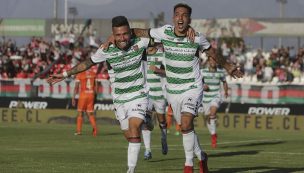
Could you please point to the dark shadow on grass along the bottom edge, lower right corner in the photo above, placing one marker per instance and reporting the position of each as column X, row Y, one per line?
column 262, row 169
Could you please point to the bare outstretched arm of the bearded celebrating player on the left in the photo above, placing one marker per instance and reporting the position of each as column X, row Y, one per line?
column 77, row 69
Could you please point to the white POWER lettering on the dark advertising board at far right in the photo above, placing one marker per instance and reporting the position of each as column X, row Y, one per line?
column 268, row 111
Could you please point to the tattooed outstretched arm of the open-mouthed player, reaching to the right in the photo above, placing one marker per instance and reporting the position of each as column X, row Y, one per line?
column 232, row 69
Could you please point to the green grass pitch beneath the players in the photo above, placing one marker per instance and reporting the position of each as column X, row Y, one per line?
column 52, row 148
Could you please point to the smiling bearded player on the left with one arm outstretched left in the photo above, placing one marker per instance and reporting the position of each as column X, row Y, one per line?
column 130, row 95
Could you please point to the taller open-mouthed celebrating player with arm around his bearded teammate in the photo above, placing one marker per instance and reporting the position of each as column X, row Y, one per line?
column 184, row 84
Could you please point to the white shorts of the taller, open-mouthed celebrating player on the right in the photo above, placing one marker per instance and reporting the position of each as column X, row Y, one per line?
column 188, row 101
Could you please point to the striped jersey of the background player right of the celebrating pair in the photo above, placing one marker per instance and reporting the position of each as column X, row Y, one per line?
column 213, row 80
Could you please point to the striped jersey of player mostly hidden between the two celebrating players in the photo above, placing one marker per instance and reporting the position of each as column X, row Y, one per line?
column 154, row 81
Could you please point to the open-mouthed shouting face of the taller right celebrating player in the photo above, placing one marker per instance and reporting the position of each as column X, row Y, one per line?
column 181, row 20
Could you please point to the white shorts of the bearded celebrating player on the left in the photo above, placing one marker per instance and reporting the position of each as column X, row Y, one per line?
column 136, row 108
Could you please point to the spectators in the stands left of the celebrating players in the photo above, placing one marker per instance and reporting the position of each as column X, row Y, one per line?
column 40, row 57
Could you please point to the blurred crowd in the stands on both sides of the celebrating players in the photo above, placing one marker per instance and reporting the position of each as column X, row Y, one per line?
column 41, row 57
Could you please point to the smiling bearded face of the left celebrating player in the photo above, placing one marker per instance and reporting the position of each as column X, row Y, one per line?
column 122, row 36
